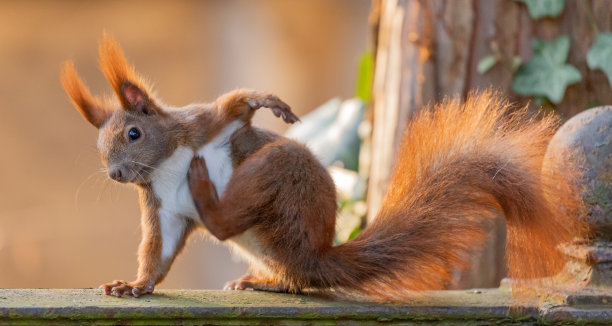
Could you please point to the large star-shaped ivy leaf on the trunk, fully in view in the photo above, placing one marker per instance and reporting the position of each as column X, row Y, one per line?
column 547, row 74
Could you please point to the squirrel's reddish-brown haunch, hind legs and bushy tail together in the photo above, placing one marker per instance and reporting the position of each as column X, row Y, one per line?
column 458, row 164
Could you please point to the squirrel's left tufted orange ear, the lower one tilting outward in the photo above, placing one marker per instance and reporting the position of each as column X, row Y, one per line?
column 90, row 107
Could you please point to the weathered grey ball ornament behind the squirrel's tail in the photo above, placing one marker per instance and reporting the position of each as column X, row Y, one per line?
column 588, row 136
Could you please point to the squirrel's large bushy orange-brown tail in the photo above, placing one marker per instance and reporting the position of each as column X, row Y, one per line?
column 458, row 165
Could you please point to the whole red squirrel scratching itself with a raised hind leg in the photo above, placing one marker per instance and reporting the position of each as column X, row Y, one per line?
column 204, row 166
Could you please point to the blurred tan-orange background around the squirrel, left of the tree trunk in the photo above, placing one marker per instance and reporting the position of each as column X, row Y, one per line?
column 62, row 223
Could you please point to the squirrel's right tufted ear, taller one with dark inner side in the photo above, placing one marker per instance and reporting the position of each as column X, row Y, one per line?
column 128, row 86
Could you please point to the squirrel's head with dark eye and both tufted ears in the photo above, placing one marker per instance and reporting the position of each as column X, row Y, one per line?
column 136, row 135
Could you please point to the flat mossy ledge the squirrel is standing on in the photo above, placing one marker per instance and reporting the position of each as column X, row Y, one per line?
column 197, row 307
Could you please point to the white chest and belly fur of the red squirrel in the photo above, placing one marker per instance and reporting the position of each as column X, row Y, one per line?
column 171, row 188
